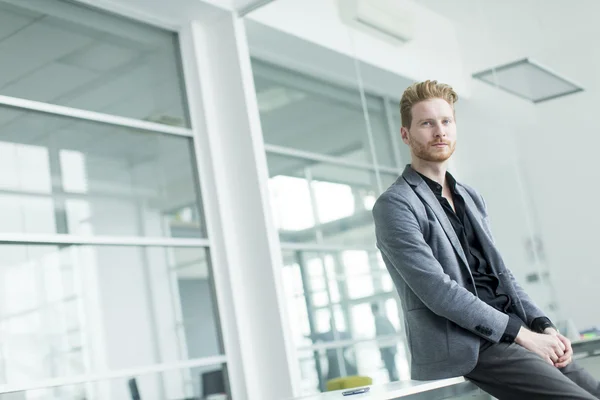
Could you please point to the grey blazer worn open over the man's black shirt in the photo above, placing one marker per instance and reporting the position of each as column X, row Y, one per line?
column 444, row 321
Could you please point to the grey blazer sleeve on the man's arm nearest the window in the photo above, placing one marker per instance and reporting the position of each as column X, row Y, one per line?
column 401, row 242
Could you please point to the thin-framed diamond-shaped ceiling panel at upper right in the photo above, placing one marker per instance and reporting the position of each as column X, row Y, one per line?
column 529, row 80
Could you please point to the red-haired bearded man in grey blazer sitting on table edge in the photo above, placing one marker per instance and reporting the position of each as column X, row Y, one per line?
column 465, row 313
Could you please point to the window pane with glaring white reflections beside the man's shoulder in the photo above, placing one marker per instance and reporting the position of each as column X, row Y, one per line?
column 323, row 203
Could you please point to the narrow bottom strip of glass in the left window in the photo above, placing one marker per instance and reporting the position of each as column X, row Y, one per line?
column 187, row 383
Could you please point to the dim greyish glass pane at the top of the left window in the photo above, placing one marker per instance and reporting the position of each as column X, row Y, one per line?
column 67, row 54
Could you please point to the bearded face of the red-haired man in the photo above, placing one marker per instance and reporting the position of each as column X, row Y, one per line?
column 432, row 133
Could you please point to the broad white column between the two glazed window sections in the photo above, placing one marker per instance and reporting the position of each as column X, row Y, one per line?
column 246, row 256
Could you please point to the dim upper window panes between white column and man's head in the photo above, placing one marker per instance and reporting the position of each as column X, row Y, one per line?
column 307, row 114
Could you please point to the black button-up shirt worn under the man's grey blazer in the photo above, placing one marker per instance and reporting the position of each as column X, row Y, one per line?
column 487, row 285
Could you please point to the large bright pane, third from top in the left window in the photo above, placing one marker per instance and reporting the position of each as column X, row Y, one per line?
column 68, row 310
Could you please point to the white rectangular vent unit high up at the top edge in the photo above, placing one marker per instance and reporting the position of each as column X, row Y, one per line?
column 388, row 20
